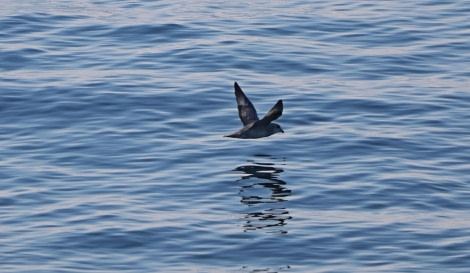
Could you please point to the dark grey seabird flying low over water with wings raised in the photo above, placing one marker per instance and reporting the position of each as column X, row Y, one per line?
column 253, row 127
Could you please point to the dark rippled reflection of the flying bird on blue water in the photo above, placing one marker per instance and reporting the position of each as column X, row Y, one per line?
column 266, row 209
